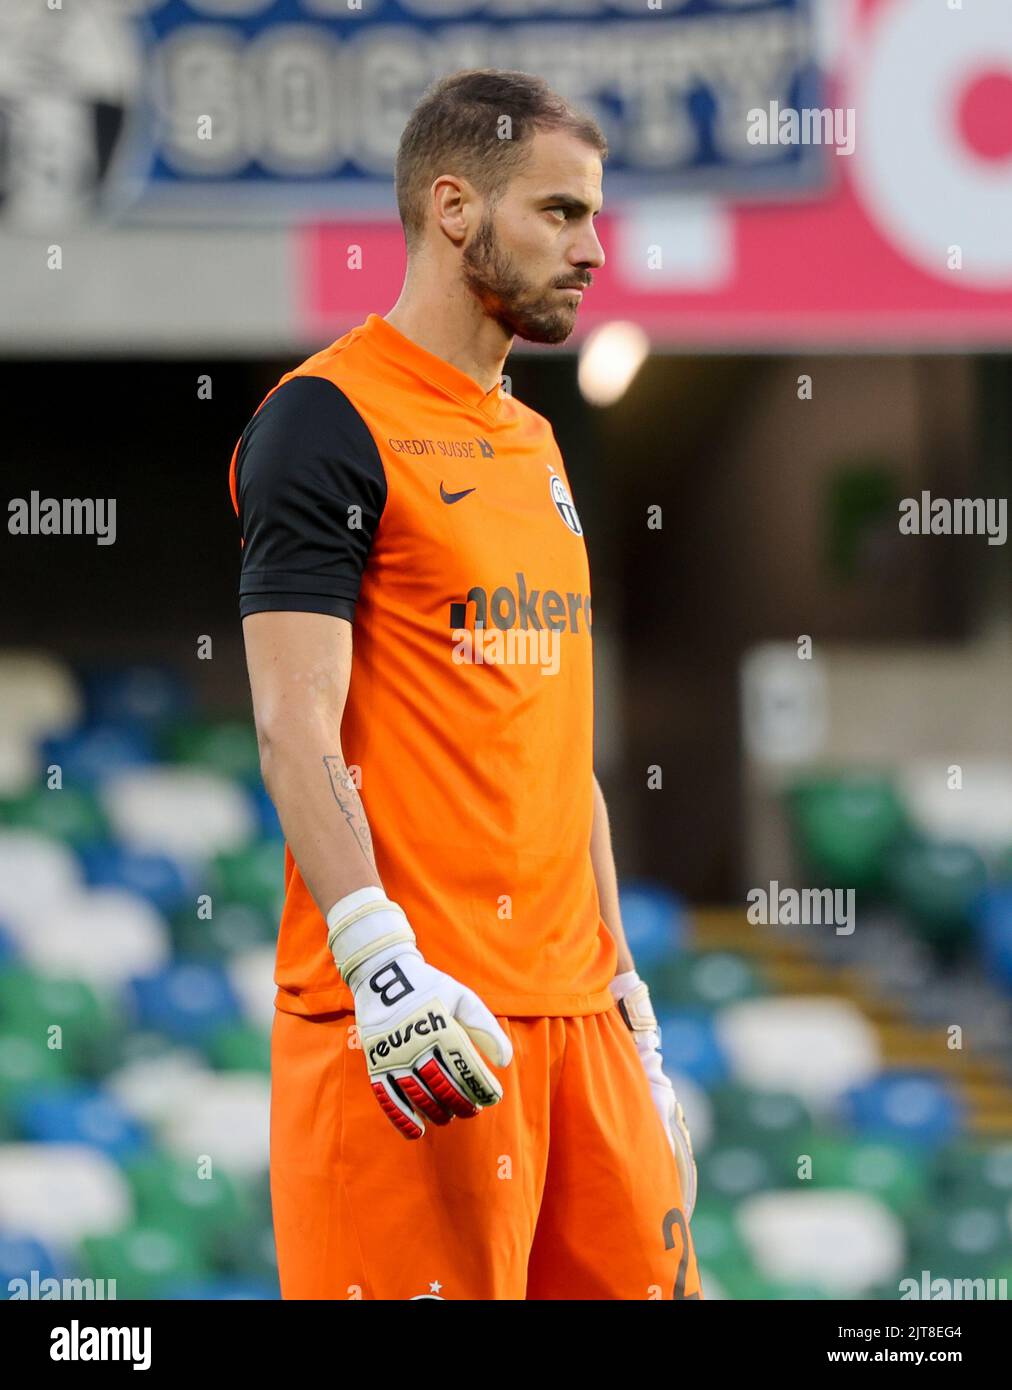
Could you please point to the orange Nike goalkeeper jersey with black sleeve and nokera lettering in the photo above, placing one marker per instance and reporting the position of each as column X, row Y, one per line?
column 382, row 484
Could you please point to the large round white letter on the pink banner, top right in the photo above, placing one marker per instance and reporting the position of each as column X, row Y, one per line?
column 917, row 180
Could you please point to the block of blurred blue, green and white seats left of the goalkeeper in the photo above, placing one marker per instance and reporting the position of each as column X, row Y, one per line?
column 134, row 1029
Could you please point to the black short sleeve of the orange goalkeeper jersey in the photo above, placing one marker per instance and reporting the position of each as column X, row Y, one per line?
column 305, row 458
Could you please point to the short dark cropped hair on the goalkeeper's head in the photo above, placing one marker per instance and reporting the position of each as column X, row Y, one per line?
column 455, row 130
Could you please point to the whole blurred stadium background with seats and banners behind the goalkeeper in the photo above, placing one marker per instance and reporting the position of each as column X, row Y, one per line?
column 822, row 337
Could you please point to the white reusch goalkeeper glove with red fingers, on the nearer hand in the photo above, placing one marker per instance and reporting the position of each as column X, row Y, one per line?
column 415, row 1024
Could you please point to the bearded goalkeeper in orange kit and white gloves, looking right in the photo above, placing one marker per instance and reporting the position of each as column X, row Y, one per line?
column 468, row 1096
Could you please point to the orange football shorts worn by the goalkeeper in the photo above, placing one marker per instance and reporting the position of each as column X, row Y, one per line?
column 566, row 1189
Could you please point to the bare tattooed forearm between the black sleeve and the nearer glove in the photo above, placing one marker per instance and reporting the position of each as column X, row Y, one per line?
column 300, row 669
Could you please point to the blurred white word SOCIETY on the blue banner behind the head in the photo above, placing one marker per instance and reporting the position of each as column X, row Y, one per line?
column 301, row 101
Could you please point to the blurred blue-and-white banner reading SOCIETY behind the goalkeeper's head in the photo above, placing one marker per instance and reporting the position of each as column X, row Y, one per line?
column 281, row 109
